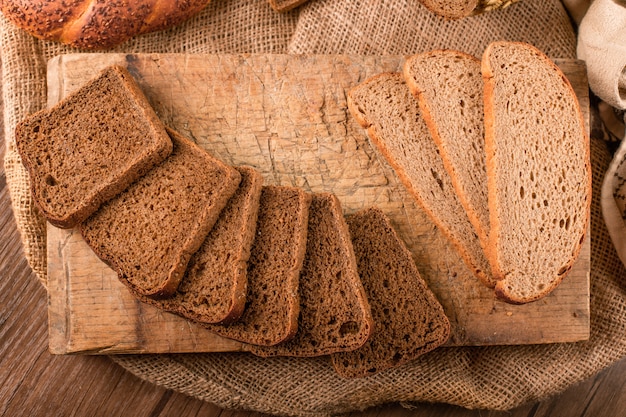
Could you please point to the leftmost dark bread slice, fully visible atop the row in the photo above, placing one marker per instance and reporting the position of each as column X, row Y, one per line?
column 90, row 146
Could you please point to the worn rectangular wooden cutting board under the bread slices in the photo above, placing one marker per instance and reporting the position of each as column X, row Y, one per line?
column 286, row 116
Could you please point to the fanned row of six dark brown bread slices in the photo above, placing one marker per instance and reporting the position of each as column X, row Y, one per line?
column 271, row 266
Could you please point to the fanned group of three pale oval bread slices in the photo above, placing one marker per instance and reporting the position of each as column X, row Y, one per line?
column 495, row 152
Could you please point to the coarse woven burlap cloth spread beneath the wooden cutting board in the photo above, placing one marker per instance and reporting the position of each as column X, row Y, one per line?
column 483, row 377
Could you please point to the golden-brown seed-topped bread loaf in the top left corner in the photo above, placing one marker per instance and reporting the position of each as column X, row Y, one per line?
column 97, row 24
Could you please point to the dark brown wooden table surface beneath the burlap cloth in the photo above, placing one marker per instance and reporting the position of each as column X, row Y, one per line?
column 35, row 383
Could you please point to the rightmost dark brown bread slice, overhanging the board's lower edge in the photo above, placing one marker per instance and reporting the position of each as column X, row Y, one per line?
column 409, row 320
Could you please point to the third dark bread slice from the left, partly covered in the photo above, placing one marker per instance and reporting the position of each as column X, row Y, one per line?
column 213, row 289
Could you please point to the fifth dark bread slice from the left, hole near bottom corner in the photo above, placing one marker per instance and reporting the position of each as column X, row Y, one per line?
column 334, row 312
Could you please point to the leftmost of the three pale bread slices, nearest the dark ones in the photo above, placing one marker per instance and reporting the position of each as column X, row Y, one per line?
column 385, row 107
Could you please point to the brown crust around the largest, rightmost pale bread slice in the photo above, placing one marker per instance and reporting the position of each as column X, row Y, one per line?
column 492, row 251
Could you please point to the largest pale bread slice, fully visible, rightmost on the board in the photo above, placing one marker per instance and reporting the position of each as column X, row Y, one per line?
column 539, row 171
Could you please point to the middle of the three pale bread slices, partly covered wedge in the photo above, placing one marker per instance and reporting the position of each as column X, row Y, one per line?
column 449, row 88
